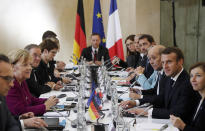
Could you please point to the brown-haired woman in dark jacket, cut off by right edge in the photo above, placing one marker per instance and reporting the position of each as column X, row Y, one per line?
column 197, row 73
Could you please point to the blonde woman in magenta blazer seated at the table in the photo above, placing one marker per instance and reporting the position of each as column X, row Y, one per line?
column 19, row 99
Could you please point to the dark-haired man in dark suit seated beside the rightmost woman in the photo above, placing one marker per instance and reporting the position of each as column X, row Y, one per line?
column 178, row 98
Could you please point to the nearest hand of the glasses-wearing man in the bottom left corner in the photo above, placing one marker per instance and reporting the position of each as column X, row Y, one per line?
column 34, row 122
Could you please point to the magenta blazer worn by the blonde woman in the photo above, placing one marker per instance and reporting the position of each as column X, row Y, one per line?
column 20, row 100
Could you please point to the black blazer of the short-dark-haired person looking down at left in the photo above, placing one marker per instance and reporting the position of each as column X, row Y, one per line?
column 45, row 74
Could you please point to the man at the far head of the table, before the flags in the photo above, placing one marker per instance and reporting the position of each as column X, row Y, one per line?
column 93, row 54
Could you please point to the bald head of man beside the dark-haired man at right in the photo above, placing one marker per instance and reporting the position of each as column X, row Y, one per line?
column 154, row 55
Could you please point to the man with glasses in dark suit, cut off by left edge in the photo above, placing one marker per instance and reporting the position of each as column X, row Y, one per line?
column 7, row 121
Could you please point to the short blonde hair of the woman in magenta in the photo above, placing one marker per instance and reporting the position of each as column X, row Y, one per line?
column 16, row 55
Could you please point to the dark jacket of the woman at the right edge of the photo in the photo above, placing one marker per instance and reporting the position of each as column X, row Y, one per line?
column 198, row 124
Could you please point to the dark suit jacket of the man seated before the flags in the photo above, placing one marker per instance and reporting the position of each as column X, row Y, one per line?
column 102, row 51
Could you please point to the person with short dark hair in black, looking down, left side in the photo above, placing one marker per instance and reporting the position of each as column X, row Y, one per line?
column 45, row 70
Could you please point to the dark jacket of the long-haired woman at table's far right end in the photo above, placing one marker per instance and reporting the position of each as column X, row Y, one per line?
column 132, row 61
